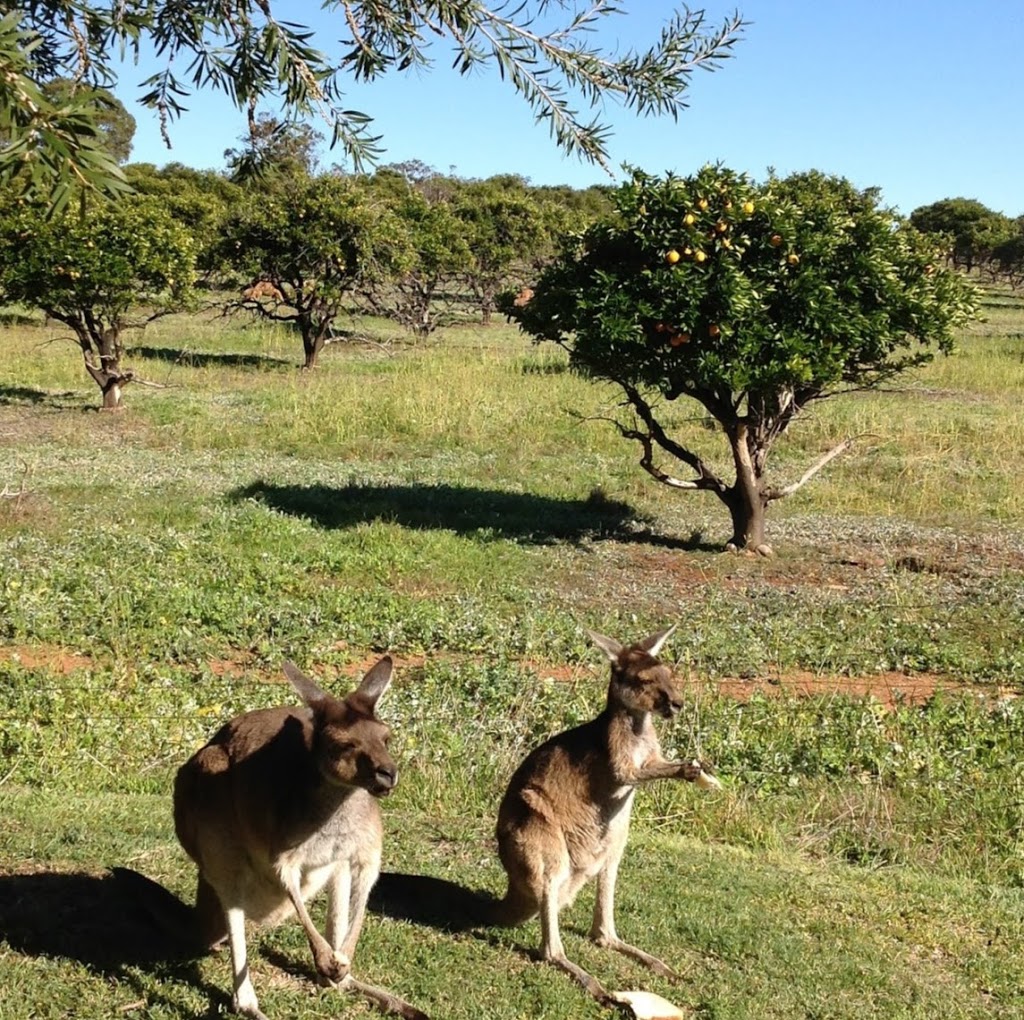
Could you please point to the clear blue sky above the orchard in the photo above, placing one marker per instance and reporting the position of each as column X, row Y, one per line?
column 923, row 99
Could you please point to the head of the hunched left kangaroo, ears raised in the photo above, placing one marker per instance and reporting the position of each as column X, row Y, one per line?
column 350, row 742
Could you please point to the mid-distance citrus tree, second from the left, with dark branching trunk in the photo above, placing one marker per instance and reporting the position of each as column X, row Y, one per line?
column 316, row 241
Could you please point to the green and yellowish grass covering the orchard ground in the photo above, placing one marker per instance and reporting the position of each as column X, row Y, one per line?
column 445, row 502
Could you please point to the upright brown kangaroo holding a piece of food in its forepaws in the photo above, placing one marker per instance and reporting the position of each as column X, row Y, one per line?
column 566, row 817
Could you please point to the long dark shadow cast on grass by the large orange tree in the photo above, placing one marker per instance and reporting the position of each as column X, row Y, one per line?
column 481, row 513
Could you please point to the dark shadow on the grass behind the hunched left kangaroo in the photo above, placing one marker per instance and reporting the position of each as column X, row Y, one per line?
column 98, row 922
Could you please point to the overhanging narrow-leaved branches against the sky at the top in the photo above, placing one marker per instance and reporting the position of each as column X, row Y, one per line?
column 252, row 52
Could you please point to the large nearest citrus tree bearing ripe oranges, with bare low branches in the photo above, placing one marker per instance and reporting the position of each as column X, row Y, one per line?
column 753, row 301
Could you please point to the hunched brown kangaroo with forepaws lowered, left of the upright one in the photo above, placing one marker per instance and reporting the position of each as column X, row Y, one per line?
column 281, row 804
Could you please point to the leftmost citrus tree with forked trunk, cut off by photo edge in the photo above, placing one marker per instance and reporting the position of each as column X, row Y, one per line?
column 118, row 268
